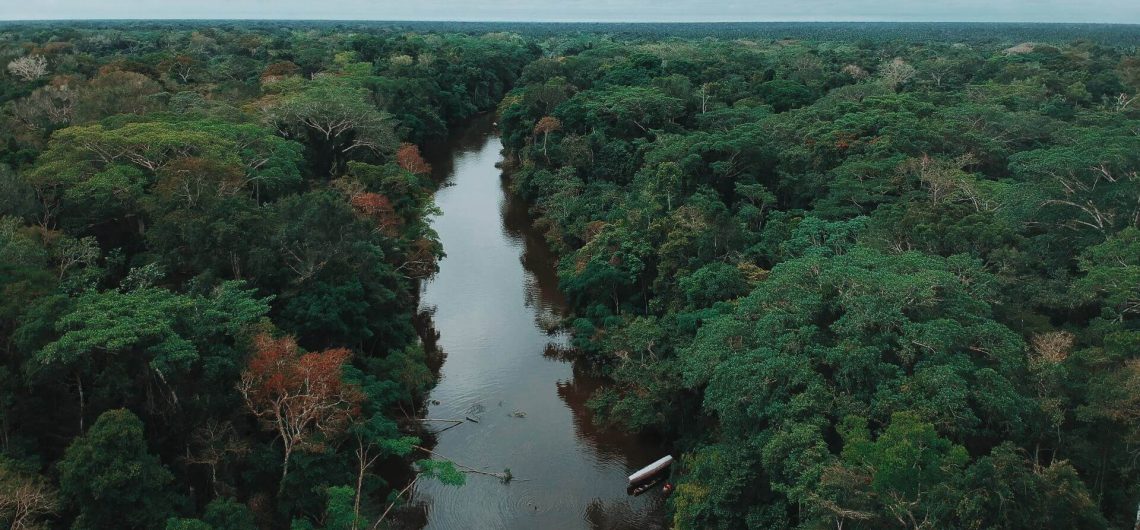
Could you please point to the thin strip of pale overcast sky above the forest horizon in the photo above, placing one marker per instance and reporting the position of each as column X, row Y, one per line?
column 589, row 11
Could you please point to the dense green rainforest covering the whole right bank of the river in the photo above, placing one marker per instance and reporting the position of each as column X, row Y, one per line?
column 861, row 284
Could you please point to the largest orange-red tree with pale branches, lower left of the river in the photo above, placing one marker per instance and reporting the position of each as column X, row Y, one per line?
column 300, row 396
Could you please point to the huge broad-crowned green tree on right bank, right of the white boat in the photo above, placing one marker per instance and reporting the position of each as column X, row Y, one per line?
column 811, row 341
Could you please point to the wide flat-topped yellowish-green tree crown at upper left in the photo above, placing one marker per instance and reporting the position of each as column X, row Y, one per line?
column 107, row 173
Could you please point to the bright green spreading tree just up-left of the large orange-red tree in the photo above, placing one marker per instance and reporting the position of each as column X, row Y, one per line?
column 123, row 347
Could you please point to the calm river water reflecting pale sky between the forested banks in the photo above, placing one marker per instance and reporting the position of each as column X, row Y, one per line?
column 490, row 304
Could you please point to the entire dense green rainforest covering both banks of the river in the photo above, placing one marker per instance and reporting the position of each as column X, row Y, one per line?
column 859, row 276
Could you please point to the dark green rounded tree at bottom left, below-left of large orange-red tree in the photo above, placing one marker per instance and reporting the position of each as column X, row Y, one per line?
column 112, row 479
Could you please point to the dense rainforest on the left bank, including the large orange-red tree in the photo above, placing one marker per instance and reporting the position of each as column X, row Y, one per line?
column 210, row 248
